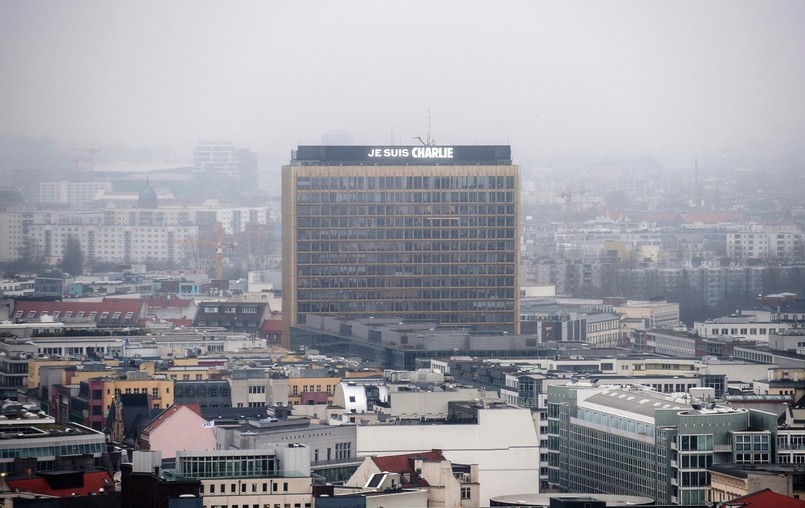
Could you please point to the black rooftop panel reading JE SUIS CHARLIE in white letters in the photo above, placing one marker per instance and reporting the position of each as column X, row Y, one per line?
column 403, row 155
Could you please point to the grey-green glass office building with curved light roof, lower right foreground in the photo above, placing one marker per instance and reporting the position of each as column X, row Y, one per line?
column 633, row 441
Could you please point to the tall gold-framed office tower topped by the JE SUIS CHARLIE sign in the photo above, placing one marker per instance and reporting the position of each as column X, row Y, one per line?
column 417, row 233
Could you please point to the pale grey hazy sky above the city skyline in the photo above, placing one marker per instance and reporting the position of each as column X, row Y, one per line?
column 551, row 78
